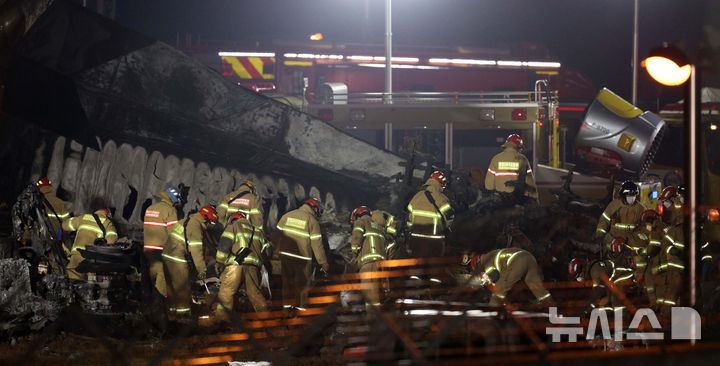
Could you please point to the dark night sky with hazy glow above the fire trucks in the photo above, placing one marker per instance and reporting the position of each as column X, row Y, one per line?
column 594, row 36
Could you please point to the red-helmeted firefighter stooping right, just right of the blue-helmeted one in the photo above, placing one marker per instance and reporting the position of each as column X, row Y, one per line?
column 182, row 253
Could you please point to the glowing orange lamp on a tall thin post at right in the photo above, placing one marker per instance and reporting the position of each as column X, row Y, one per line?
column 670, row 66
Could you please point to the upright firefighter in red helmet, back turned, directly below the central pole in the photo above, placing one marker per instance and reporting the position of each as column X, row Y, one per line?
column 430, row 217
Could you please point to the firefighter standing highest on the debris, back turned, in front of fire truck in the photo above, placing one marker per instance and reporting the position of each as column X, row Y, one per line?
column 506, row 167
